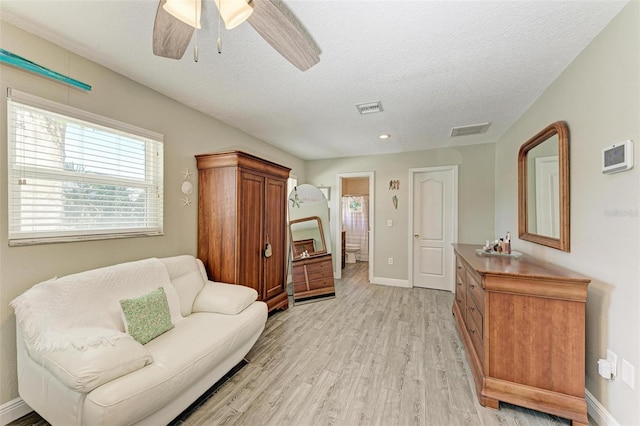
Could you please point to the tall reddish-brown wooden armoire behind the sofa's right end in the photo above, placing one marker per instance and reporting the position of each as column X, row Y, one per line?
column 242, row 204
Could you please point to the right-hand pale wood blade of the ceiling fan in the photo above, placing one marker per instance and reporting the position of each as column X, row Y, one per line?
column 273, row 20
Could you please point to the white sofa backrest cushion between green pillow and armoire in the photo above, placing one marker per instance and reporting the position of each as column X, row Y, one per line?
column 186, row 276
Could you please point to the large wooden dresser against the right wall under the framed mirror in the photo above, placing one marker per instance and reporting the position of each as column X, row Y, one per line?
column 523, row 326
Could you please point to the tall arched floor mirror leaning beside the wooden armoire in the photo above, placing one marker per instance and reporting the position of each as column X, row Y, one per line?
column 310, row 238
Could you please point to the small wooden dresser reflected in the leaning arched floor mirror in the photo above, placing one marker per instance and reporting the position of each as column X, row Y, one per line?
column 313, row 277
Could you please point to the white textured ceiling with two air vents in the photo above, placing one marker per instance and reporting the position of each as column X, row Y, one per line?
column 434, row 65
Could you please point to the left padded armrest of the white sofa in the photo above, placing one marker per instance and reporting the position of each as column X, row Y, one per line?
column 85, row 369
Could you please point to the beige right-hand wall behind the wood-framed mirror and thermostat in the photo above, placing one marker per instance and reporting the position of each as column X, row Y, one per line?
column 598, row 96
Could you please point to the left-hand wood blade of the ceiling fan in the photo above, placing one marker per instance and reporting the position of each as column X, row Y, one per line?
column 171, row 36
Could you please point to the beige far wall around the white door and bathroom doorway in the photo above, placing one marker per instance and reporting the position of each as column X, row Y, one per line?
column 475, row 197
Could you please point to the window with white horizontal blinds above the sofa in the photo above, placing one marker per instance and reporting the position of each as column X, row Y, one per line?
column 74, row 175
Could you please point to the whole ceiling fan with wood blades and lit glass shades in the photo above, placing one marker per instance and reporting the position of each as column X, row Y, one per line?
column 176, row 20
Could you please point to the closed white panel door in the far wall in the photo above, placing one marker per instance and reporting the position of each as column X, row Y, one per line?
column 434, row 227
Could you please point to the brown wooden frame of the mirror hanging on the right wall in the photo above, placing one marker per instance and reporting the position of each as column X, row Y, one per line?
column 563, row 241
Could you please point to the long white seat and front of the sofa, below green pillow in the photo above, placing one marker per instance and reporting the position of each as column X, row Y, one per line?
column 196, row 346
